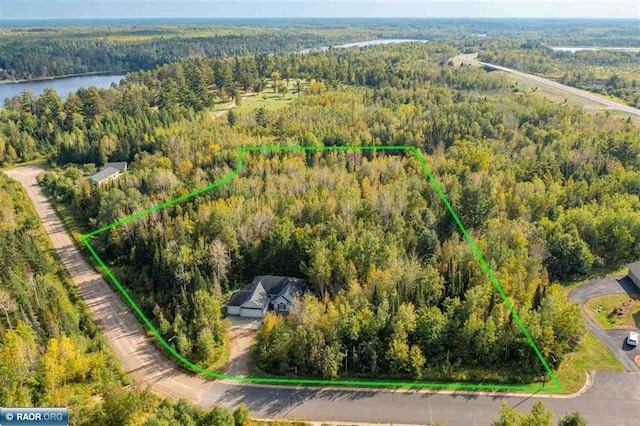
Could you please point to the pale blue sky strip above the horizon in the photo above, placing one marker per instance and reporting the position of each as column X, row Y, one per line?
column 94, row 9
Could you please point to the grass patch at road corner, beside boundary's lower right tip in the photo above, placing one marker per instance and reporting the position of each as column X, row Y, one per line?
column 592, row 355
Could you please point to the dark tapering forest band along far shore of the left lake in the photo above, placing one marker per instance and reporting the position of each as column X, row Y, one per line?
column 21, row 58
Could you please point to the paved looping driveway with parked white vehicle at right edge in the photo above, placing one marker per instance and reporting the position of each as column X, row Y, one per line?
column 614, row 339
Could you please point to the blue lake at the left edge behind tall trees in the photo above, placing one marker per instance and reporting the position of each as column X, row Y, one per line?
column 63, row 86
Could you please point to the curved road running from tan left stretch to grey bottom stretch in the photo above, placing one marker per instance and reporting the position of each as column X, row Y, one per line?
column 612, row 400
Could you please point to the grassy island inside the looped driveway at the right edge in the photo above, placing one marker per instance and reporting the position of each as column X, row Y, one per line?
column 599, row 308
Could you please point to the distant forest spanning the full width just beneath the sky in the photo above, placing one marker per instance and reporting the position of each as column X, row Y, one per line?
column 29, row 52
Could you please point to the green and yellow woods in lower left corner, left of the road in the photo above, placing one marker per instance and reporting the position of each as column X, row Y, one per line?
column 51, row 352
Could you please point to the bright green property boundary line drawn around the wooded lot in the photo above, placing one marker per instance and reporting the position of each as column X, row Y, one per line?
column 289, row 381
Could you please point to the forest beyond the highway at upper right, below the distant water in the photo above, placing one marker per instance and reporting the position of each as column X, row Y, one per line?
column 608, row 72
